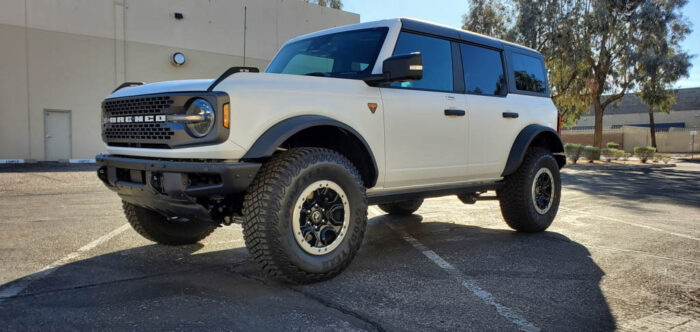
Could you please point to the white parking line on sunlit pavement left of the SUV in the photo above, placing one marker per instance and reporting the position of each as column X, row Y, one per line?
column 23, row 283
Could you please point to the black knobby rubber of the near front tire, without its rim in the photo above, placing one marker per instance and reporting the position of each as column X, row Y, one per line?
column 265, row 221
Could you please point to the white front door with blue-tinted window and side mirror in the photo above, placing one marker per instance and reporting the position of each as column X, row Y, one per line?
column 424, row 121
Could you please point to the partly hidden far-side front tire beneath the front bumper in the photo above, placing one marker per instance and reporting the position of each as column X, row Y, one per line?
column 155, row 227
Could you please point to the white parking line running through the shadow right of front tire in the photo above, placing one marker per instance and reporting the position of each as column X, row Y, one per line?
column 470, row 285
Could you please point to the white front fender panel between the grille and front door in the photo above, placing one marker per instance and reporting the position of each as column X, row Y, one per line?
column 260, row 101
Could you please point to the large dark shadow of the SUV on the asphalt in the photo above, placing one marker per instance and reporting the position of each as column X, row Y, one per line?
column 546, row 278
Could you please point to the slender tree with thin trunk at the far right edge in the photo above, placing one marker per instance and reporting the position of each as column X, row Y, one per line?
column 660, row 59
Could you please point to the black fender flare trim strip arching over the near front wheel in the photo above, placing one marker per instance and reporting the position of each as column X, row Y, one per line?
column 273, row 137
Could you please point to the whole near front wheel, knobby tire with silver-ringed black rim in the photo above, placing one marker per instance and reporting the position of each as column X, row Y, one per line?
column 305, row 215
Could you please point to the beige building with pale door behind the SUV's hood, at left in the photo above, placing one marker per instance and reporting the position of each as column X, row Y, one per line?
column 61, row 58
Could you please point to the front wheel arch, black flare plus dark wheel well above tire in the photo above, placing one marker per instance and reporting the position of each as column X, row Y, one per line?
column 297, row 131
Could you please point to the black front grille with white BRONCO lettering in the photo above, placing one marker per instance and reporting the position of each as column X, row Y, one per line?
column 141, row 121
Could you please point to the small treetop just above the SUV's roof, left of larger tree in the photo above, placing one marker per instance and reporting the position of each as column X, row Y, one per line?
column 488, row 17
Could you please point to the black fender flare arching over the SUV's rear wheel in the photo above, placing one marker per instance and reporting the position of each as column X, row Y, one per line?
column 525, row 139
